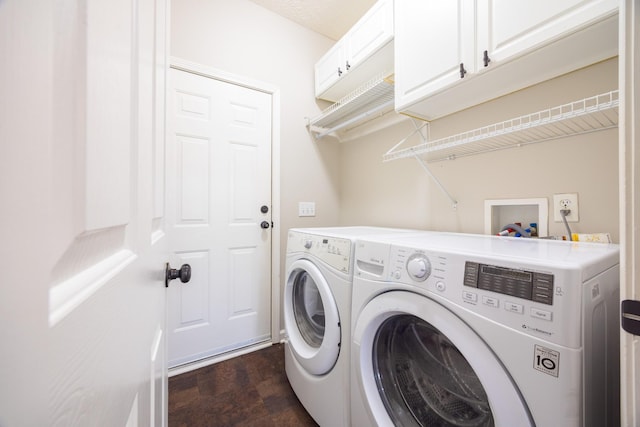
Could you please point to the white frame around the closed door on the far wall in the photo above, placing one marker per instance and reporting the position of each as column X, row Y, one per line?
column 274, row 91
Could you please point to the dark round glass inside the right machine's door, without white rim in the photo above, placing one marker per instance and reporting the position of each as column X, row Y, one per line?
column 423, row 379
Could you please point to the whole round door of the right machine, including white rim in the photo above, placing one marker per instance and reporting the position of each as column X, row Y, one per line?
column 421, row 365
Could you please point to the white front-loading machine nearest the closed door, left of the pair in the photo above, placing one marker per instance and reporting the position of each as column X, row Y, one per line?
column 317, row 317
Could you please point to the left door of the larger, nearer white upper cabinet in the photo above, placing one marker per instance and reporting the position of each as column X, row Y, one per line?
column 432, row 39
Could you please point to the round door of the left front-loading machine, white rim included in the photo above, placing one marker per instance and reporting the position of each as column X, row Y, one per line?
column 311, row 318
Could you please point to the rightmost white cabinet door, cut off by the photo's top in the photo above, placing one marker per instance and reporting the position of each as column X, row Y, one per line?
column 508, row 28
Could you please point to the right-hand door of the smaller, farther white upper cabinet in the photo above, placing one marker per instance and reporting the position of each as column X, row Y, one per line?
column 370, row 33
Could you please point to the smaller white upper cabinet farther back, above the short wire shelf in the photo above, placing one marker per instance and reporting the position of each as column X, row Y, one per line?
column 366, row 50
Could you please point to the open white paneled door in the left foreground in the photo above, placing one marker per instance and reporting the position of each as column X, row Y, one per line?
column 83, row 305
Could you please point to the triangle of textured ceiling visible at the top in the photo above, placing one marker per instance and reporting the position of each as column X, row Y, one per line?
column 332, row 18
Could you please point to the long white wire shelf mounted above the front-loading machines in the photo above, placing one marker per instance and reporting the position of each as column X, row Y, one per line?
column 591, row 114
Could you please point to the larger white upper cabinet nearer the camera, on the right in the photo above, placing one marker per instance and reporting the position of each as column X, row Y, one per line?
column 452, row 55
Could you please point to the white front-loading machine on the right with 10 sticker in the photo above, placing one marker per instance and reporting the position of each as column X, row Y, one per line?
column 469, row 330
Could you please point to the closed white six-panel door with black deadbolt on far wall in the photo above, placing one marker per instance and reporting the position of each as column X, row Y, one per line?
column 218, row 195
